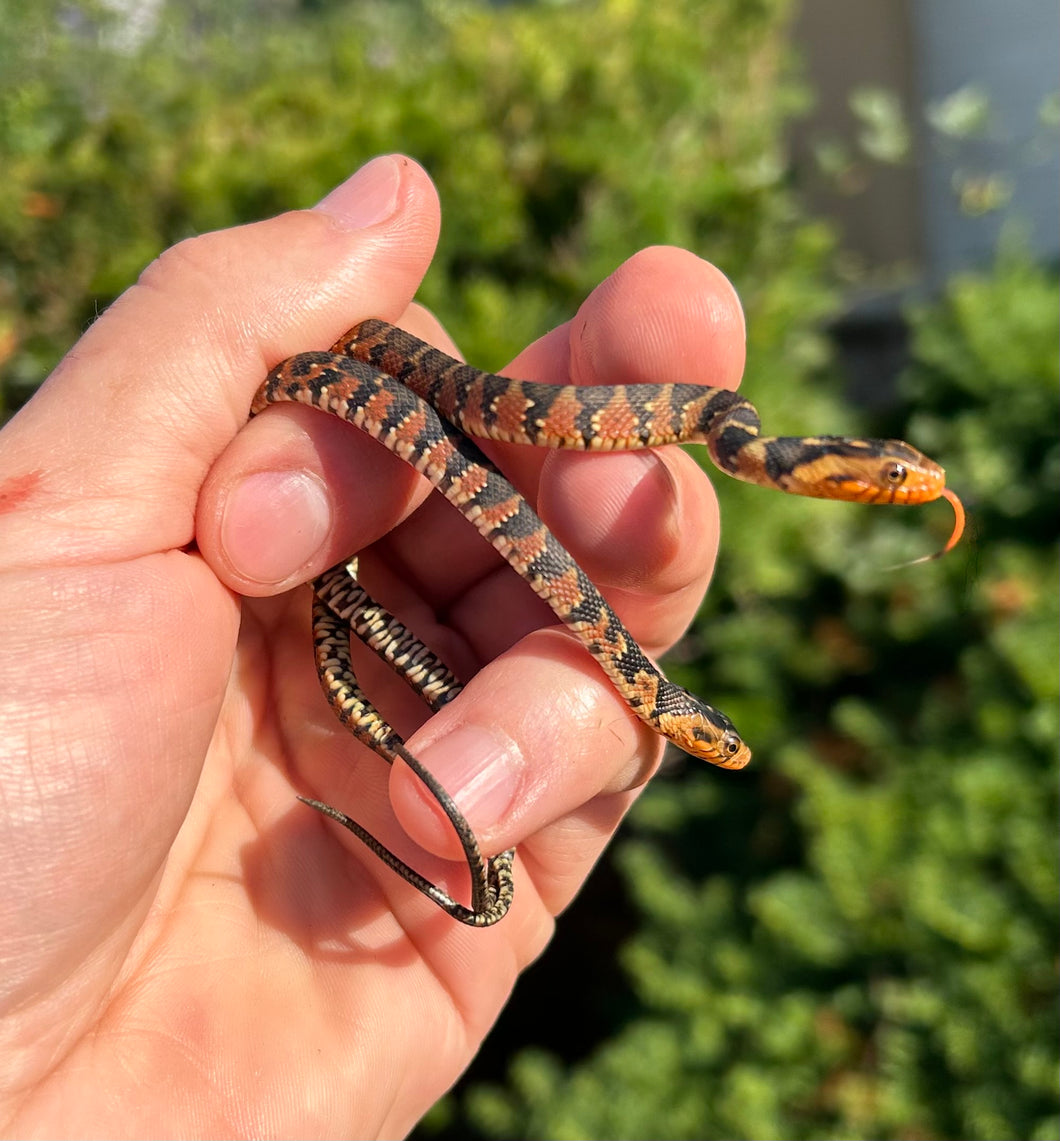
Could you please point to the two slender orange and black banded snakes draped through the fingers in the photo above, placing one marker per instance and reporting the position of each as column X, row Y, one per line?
column 424, row 406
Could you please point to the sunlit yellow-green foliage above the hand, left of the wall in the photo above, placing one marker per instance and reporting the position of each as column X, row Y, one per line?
column 562, row 139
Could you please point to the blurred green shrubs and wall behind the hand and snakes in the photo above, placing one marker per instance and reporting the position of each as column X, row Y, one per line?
column 857, row 936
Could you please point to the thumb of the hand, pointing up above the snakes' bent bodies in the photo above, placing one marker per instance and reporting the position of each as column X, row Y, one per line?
column 126, row 430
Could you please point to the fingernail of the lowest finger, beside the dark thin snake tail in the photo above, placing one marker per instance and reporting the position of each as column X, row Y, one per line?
column 482, row 770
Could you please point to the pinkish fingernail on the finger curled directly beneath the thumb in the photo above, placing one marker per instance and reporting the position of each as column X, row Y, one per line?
column 273, row 524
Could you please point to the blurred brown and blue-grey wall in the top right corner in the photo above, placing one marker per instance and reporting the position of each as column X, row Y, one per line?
column 905, row 225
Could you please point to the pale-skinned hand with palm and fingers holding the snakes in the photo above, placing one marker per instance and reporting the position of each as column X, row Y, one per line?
column 188, row 950
